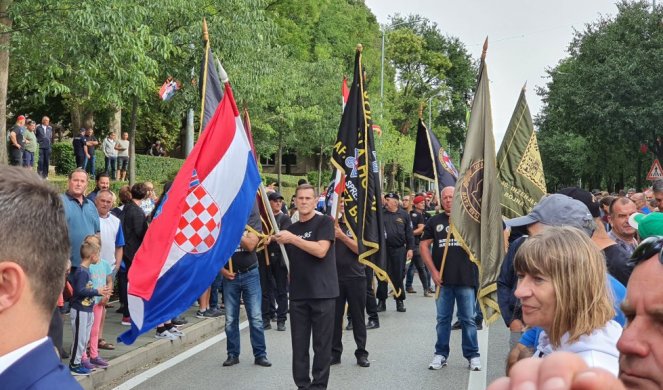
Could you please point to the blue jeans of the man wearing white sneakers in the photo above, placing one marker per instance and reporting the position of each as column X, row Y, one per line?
column 465, row 299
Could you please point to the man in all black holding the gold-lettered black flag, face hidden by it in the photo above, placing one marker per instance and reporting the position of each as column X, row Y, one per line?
column 352, row 289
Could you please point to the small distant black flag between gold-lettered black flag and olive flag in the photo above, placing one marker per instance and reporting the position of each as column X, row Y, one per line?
column 431, row 161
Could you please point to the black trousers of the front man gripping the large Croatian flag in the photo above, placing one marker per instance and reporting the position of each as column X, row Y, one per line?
column 316, row 317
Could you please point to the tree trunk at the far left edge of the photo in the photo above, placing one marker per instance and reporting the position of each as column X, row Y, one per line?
column 5, row 39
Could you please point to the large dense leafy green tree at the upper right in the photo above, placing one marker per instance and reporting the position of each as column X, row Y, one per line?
column 606, row 94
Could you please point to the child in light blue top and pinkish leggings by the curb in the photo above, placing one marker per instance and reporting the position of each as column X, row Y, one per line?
column 102, row 277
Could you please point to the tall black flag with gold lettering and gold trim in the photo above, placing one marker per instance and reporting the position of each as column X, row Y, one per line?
column 354, row 155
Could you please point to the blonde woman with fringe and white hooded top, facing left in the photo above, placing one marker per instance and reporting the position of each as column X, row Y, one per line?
column 563, row 289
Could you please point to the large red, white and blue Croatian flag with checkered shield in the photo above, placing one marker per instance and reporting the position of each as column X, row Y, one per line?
column 199, row 226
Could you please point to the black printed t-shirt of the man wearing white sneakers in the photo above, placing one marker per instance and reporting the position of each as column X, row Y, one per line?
column 458, row 269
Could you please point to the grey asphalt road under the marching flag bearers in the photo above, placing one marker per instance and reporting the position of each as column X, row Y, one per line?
column 400, row 351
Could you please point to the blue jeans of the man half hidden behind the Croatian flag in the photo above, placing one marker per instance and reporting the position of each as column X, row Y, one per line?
column 246, row 285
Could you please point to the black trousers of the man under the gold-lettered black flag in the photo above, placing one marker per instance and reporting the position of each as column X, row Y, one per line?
column 350, row 291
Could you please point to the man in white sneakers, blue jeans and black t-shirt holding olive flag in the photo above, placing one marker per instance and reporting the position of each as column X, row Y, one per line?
column 457, row 281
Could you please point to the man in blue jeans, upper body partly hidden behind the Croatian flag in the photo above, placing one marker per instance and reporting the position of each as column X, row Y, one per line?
column 241, row 279
